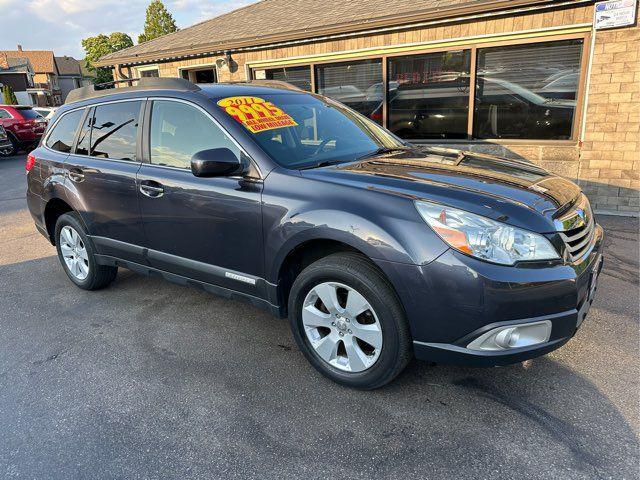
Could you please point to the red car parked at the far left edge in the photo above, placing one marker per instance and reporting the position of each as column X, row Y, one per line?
column 23, row 124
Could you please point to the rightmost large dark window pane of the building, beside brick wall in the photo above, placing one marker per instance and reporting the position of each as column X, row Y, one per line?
column 527, row 91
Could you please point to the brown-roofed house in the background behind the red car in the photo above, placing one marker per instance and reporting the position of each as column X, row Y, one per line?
column 46, row 90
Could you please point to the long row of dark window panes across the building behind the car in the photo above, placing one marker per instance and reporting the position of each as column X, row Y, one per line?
column 521, row 91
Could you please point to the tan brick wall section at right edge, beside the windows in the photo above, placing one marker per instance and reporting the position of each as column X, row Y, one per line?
column 610, row 156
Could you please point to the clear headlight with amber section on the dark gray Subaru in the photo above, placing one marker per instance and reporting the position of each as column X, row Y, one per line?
column 484, row 238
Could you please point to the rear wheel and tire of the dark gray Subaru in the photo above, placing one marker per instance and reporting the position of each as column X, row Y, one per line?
column 76, row 255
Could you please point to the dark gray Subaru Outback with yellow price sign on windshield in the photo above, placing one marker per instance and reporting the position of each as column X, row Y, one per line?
column 376, row 251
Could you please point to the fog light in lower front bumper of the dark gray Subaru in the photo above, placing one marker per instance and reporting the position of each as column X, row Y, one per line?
column 513, row 336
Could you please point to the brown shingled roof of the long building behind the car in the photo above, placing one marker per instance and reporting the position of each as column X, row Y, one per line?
column 270, row 21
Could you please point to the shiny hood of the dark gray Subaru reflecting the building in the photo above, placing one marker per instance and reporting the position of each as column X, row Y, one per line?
column 516, row 192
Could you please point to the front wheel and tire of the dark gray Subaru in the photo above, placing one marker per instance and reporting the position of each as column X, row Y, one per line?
column 348, row 322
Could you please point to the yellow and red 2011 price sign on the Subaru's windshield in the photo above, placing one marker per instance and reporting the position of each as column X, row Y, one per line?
column 256, row 114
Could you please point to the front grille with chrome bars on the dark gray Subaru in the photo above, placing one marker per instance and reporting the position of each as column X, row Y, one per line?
column 577, row 228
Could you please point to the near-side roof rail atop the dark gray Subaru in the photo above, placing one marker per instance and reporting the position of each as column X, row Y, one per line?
column 145, row 83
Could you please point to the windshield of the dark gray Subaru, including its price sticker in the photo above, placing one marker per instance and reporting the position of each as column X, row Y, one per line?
column 315, row 131
